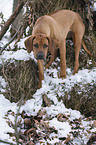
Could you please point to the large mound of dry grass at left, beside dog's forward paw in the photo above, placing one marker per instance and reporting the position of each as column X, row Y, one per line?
column 22, row 79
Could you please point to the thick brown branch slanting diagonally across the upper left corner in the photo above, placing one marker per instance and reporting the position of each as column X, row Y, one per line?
column 11, row 19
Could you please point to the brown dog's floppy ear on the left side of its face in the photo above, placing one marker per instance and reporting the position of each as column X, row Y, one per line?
column 29, row 43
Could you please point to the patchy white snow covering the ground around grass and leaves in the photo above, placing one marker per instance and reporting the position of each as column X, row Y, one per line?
column 33, row 105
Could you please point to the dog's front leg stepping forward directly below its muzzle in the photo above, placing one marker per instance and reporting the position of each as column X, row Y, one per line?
column 41, row 75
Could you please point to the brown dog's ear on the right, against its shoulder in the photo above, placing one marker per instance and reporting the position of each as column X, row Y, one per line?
column 52, row 44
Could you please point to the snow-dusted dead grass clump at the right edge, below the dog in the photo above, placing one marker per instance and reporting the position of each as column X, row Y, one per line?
column 82, row 98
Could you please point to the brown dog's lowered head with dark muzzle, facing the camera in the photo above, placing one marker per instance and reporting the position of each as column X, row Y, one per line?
column 39, row 44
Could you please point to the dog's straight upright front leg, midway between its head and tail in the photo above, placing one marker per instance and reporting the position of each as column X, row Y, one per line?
column 63, row 59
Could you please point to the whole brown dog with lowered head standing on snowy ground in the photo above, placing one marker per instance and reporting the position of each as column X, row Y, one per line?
column 49, row 33
